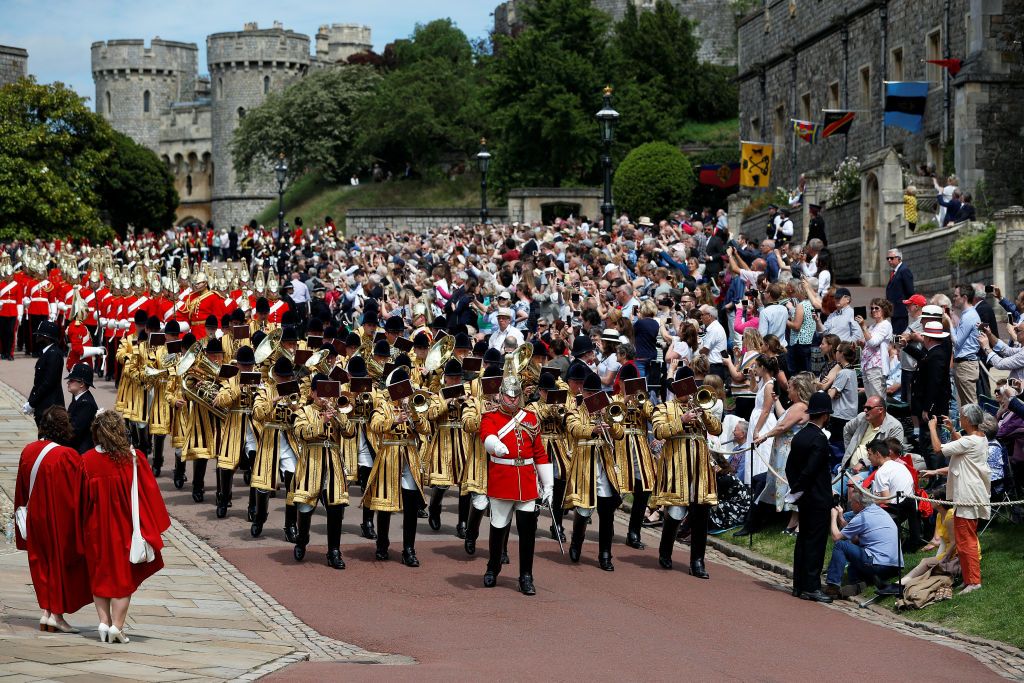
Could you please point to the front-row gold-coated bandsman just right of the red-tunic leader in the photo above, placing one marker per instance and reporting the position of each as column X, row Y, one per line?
column 593, row 478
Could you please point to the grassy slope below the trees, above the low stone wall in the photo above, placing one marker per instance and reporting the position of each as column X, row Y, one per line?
column 313, row 198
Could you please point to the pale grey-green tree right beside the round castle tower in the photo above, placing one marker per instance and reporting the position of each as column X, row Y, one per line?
column 312, row 122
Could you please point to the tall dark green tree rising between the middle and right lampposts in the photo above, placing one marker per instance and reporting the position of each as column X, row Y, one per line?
column 544, row 90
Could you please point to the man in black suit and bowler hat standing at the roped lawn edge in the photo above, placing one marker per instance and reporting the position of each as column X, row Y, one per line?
column 810, row 488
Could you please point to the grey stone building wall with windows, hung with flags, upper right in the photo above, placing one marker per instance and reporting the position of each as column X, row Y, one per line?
column 830, row 56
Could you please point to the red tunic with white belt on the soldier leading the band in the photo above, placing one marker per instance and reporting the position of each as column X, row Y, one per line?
column 514, row 476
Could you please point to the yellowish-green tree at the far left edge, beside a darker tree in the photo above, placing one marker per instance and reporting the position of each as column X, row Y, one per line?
column 53, row 153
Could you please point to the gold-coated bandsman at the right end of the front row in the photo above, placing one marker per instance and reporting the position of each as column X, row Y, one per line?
column 686, row 474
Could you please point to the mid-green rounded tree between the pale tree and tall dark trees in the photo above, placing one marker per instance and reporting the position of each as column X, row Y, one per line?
column 429, row 107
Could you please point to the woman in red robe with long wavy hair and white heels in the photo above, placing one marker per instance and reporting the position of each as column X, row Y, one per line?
column 107, row 522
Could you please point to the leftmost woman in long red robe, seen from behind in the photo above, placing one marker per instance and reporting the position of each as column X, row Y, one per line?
column 57, row 565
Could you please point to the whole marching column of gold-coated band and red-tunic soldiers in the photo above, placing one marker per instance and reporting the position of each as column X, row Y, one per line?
column 218, row 363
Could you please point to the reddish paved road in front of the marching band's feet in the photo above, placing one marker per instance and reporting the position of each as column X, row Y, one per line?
column 637, row 622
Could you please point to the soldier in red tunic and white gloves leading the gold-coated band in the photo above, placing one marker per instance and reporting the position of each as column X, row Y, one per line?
column 518, row 462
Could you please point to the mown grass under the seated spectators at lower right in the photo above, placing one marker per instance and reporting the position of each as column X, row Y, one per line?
column 997, row 612
